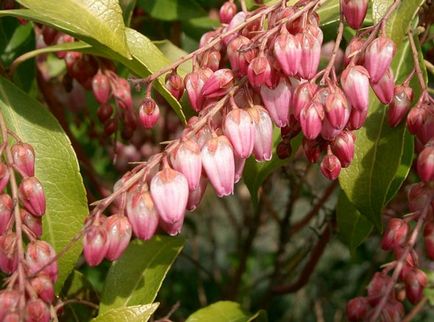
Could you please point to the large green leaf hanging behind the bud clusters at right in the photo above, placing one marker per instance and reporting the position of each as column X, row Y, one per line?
column 379, row 148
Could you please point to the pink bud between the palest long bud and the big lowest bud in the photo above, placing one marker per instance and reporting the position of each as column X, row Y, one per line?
column 186, row 159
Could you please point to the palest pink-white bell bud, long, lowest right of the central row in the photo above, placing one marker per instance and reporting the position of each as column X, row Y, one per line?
column 219, row 164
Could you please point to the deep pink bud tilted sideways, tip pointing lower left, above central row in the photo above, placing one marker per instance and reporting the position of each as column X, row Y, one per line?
column 218, row 84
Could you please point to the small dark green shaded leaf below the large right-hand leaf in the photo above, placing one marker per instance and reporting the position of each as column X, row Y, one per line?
column 353, row 228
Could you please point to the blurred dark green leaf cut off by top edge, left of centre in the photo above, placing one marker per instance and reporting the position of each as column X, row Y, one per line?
column 170, row 10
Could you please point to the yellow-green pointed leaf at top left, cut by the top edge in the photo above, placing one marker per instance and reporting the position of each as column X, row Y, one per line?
column 97, row 22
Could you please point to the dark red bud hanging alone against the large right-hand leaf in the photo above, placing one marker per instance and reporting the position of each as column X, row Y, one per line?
column 400, row 105
